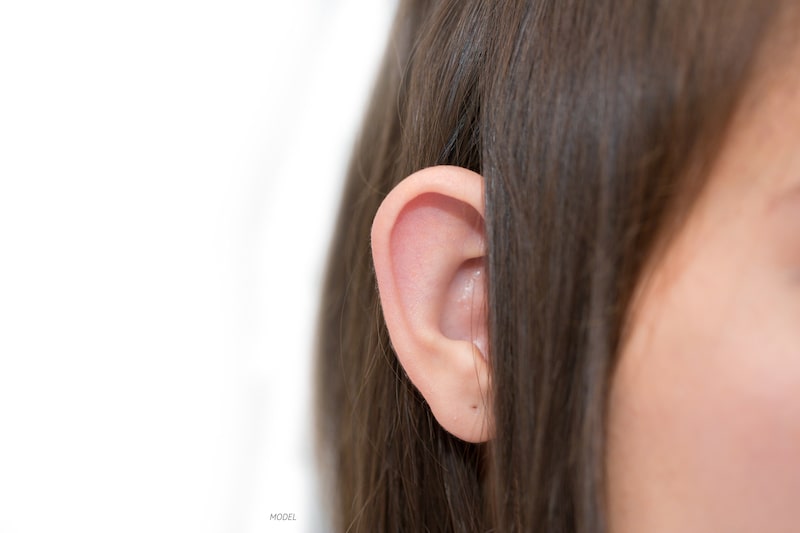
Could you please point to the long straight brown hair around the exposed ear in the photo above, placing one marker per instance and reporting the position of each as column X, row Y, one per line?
column 593, row 124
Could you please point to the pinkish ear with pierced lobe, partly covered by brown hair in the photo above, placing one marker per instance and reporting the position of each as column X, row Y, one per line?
column 428, row 246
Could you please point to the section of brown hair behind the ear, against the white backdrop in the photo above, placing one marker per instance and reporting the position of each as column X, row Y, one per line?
column 388, row 463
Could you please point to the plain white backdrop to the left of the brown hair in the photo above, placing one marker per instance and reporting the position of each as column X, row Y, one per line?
column 169, row 173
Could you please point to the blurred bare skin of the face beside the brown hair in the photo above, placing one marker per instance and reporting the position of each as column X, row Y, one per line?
column 704, row 410
